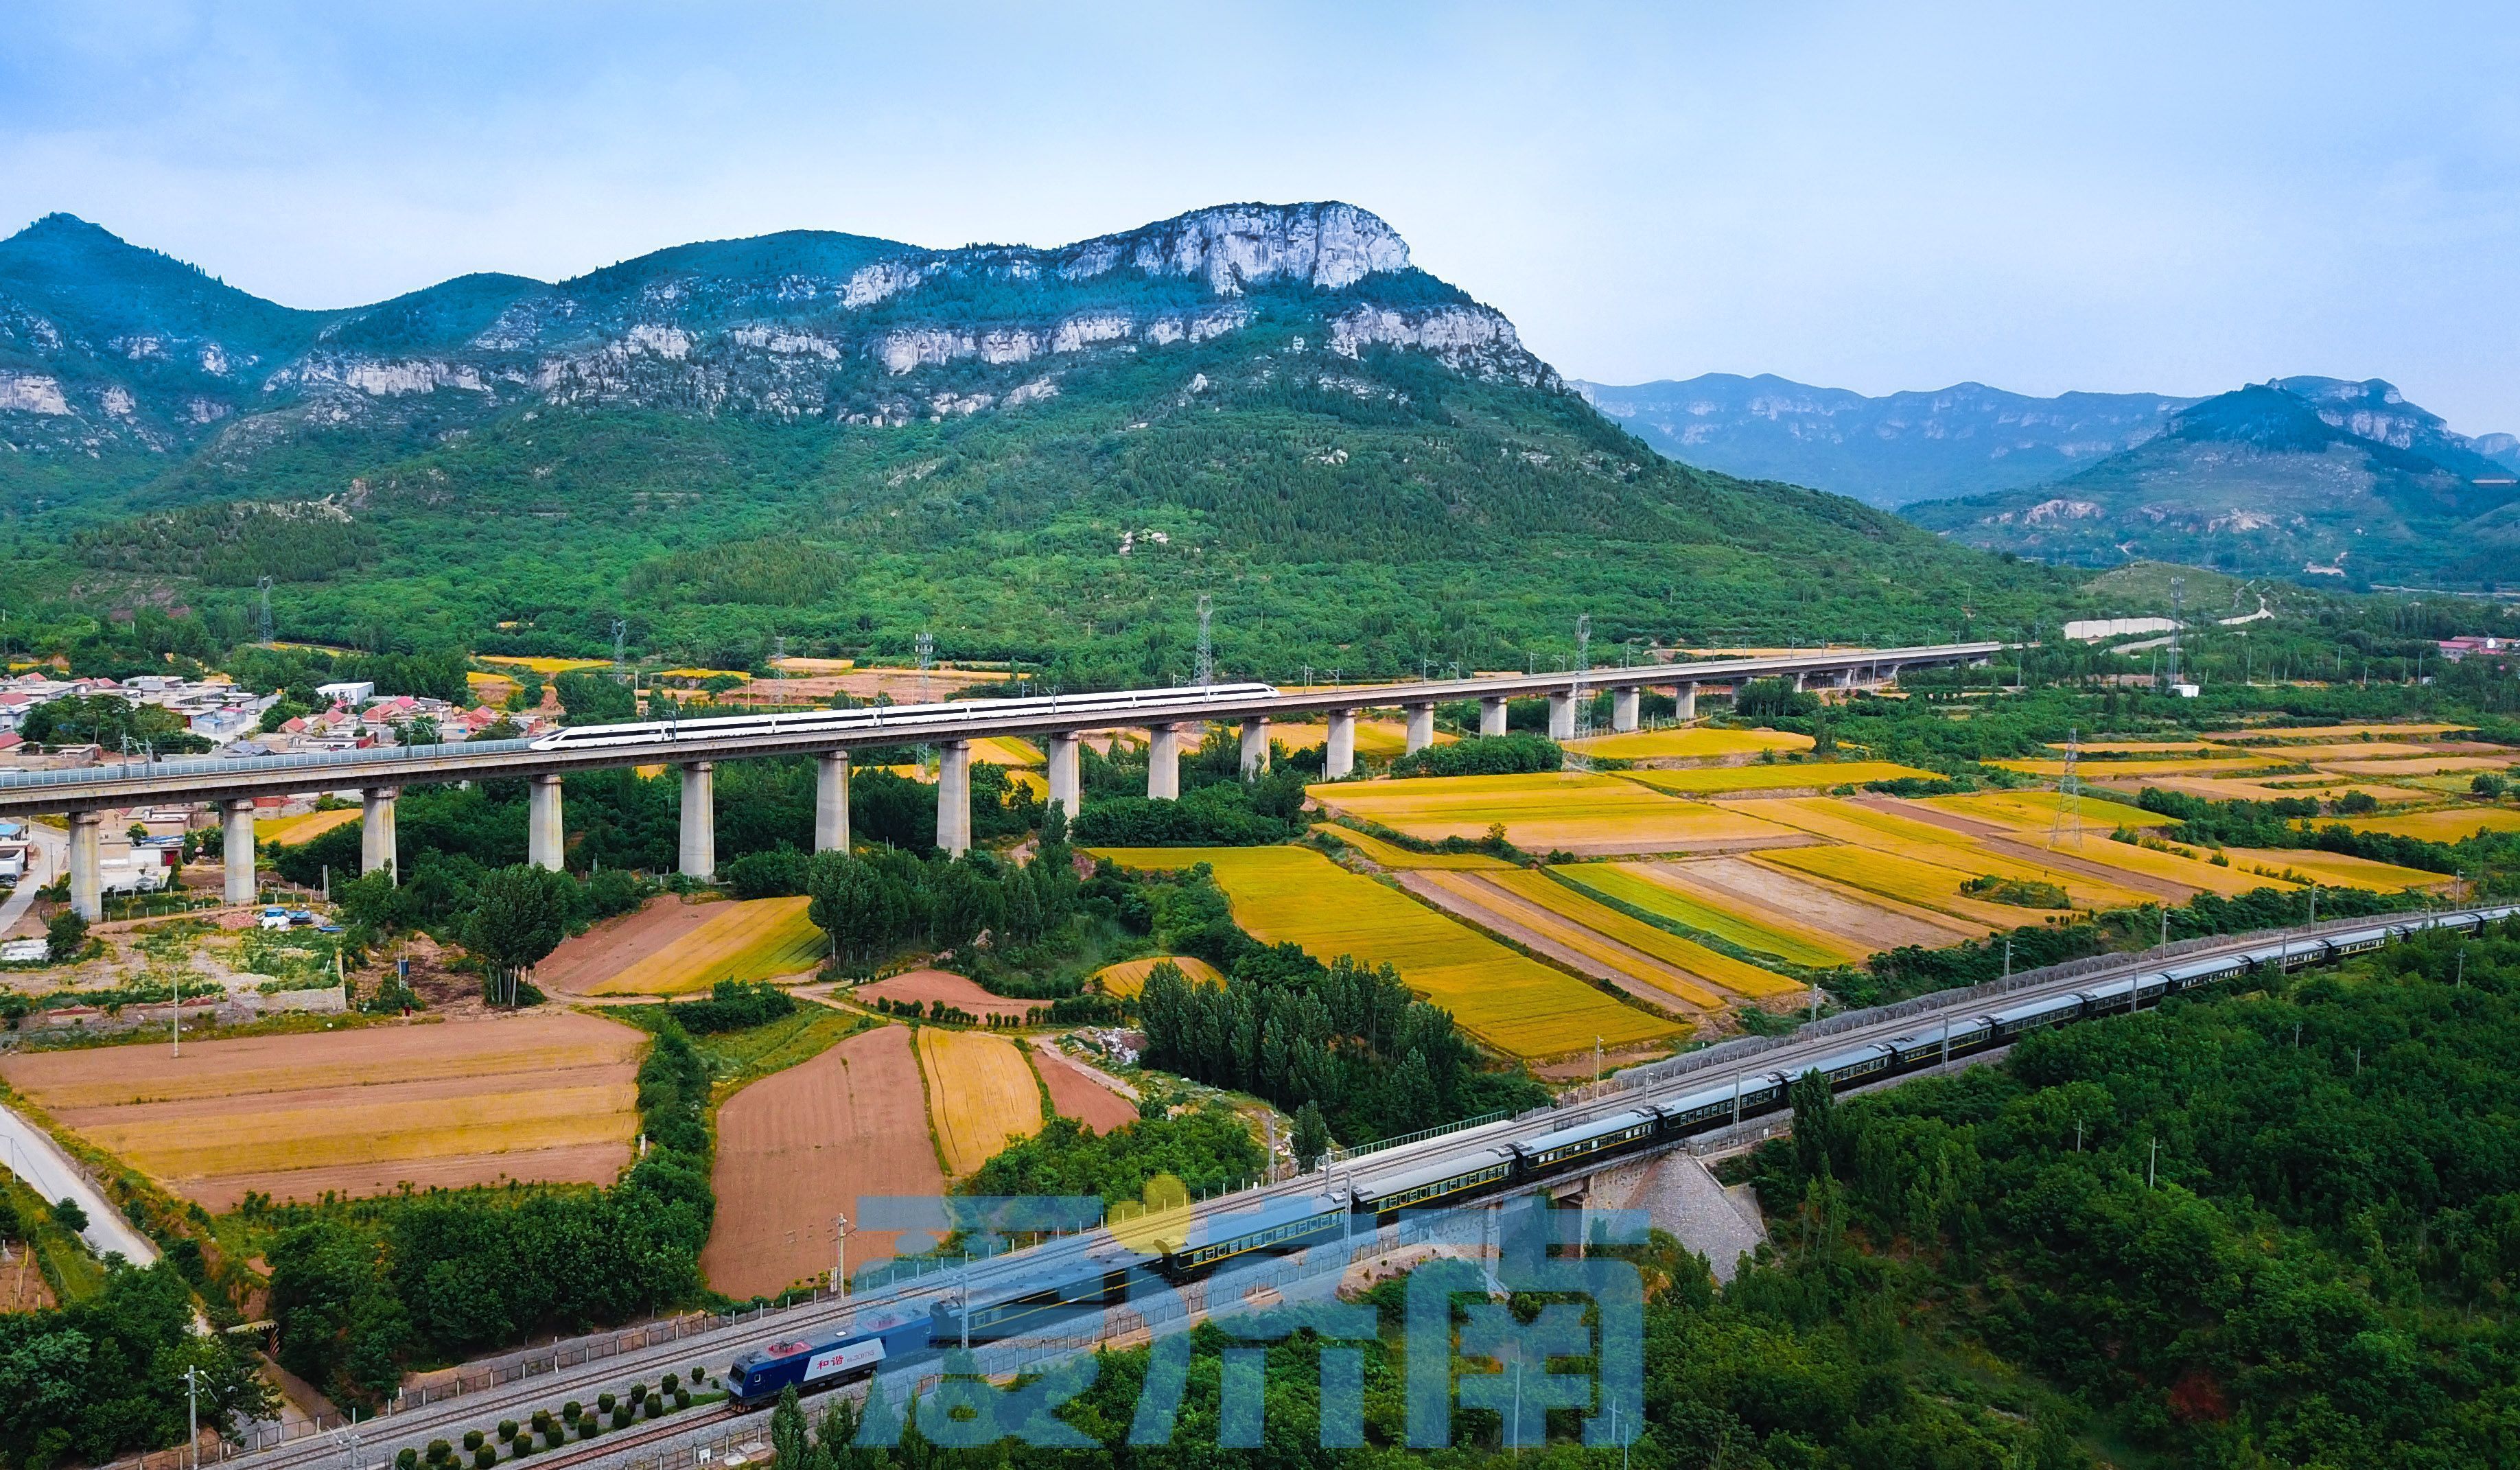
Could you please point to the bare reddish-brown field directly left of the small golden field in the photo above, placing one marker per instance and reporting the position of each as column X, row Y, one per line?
column 810, row 1143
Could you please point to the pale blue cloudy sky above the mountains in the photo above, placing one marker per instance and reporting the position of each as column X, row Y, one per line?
column 2166, row 198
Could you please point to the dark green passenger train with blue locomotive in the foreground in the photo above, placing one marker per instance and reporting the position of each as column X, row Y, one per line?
column 1365, row 1196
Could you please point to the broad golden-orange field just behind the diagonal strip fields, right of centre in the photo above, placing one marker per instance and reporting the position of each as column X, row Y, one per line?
column 1559, row 811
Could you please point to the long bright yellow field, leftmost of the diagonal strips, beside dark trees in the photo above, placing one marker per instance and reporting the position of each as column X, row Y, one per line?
column 1501, row 997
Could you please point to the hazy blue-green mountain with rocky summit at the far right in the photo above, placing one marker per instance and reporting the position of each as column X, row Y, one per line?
column 2305, row 478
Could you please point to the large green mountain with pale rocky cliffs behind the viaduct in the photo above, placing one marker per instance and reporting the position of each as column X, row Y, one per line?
column 833, row 445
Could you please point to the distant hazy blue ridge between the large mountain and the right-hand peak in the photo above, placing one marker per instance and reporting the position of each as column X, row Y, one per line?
column 1891, row 450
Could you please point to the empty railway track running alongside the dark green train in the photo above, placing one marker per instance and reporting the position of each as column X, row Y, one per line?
column 717, row 1348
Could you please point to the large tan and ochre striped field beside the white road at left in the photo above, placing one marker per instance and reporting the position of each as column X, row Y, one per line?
column 543, row 1096
